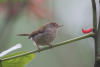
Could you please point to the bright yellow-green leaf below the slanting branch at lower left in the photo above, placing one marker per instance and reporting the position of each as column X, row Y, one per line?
column 19, row 61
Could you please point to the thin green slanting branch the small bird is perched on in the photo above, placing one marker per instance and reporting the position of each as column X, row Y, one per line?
column 46, row 48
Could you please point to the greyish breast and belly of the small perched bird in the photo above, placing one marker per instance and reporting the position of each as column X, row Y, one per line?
column 45, row 38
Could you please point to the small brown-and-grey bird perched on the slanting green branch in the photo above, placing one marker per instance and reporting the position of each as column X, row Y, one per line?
column 44, row 35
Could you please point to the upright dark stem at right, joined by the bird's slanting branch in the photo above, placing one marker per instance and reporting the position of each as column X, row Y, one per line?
column 95, row 30
